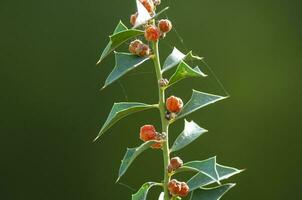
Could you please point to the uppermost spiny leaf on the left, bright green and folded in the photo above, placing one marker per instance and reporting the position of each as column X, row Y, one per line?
column 120, row 35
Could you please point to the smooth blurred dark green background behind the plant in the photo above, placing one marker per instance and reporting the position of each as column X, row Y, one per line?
column 51, row 107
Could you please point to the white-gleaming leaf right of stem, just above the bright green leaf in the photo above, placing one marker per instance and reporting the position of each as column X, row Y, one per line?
column 176, row 57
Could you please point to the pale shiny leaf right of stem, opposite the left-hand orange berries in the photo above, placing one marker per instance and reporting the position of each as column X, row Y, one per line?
column 190, row 133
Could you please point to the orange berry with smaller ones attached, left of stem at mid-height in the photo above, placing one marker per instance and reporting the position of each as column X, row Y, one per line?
column 148, row 132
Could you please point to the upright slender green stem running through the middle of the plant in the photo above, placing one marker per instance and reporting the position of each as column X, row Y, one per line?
column 164, row 121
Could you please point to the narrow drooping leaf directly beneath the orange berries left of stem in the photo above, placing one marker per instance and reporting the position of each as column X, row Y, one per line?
column 130, row 156
